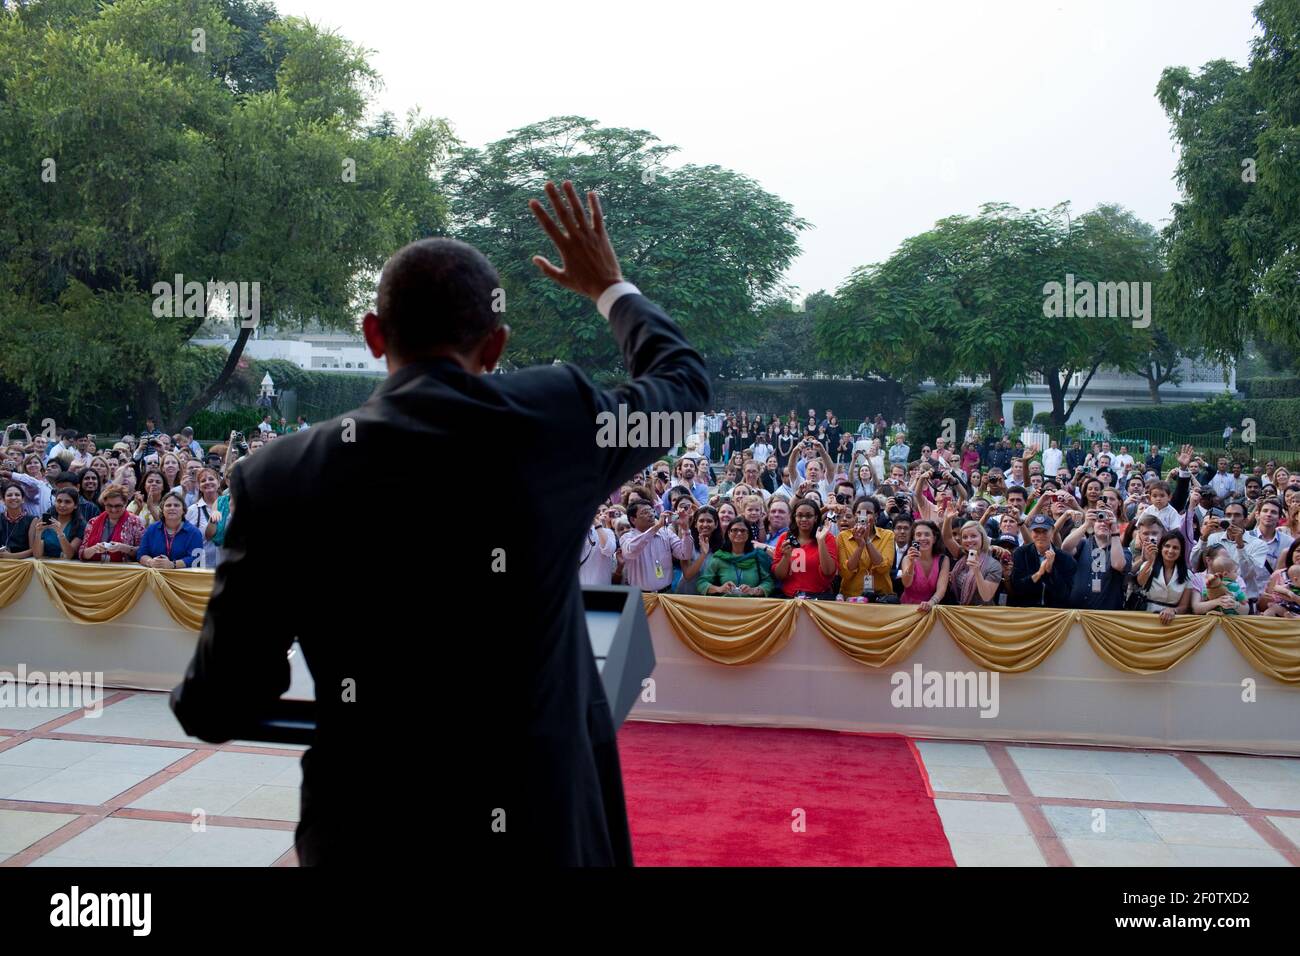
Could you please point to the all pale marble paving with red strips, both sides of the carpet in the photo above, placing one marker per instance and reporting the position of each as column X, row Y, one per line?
column 127, row 788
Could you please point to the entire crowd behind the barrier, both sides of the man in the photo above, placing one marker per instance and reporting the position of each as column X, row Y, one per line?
column 795, row 508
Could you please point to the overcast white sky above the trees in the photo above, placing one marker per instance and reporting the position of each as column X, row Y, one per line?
column 874, row 120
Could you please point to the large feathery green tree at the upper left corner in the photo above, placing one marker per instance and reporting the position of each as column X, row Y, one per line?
column 150, row 139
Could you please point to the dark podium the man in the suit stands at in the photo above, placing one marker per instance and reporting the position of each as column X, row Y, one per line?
column 621, row 642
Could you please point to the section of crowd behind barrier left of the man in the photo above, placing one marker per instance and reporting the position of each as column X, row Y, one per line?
column 157, row 500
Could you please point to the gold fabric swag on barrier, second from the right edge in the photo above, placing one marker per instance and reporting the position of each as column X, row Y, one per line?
column 1143, row 643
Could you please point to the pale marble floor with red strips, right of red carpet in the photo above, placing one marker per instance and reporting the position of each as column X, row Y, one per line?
column 1045, row 806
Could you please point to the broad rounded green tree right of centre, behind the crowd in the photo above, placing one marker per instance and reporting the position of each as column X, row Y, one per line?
column 967, row 299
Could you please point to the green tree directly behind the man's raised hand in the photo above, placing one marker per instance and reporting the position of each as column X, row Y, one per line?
column 708, row 244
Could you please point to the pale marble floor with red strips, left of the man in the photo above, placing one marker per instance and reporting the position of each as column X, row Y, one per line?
column 128, row 788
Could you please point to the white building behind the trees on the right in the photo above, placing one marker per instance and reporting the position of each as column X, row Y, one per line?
column 1112, row 390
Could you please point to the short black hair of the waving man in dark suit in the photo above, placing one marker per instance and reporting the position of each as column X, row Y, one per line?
column 436, row 293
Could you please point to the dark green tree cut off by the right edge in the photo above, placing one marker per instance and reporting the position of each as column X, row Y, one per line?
column 1234, row 240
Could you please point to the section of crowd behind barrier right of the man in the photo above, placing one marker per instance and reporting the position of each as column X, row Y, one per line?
column 799, row 508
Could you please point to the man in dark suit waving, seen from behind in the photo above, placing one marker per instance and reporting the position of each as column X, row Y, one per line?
column 454, row 676
